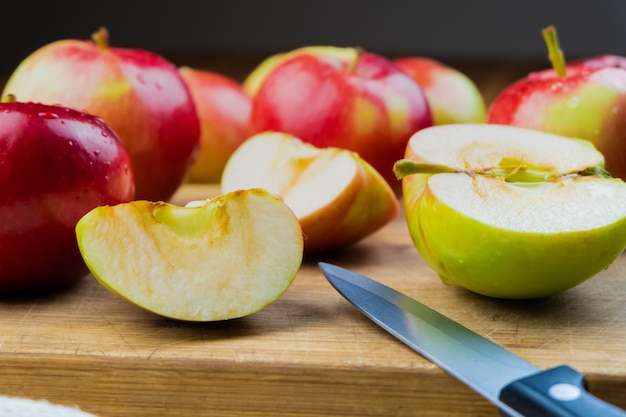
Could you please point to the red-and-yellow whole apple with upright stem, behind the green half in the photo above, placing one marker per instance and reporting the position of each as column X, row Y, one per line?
column 584, row 100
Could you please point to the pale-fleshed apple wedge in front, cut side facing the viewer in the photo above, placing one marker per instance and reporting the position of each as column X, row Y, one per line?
column 223, row 258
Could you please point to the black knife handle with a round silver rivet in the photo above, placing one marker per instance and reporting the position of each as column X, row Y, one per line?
column 556, row 392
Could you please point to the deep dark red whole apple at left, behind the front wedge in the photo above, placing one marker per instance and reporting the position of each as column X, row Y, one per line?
column 56, row 164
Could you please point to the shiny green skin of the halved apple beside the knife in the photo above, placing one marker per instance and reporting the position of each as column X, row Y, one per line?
column 506, row 264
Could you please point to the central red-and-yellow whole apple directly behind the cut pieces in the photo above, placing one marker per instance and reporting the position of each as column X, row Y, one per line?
column 339, row 97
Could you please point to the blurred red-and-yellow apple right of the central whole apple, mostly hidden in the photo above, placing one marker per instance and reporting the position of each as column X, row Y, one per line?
column 452, row 95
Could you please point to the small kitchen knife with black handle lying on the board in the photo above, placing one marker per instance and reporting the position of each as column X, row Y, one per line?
column 515, row 386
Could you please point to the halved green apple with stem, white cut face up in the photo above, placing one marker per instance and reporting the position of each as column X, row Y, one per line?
column 510, row 212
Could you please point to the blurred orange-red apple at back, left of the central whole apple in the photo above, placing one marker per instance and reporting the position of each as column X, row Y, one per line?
column 224, row 110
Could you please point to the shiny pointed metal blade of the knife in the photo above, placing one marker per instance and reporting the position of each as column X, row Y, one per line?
column 474, row 360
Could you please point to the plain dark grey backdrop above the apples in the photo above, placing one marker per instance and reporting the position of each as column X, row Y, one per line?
column 459, row 29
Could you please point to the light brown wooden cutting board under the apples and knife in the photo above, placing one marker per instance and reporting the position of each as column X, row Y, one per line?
column 308, row 354
